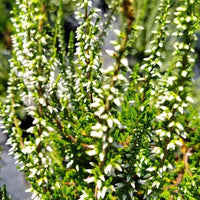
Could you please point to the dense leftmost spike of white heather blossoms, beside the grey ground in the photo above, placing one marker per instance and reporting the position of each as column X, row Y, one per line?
column 33, row 66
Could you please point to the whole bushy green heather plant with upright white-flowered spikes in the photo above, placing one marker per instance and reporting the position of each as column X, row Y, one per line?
column 123, row 131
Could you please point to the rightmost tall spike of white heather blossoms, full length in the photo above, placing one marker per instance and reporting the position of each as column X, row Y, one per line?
column 172, row 103
